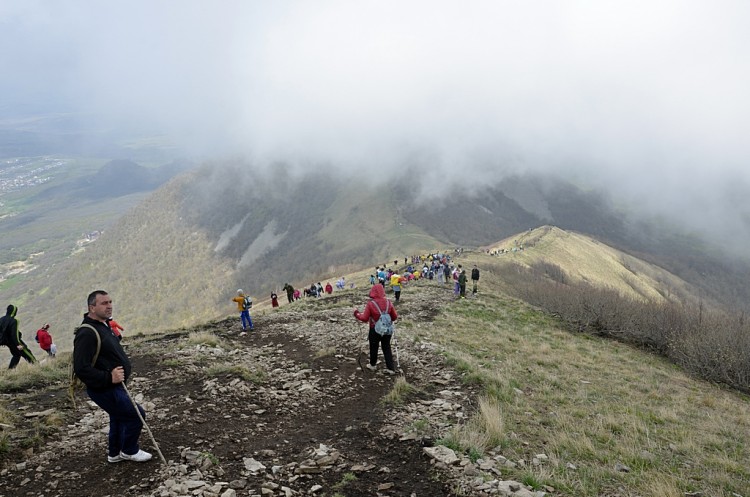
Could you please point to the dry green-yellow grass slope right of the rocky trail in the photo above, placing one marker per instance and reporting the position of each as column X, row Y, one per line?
column 592, row 403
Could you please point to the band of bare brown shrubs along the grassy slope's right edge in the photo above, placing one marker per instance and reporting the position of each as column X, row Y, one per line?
column 713, row 344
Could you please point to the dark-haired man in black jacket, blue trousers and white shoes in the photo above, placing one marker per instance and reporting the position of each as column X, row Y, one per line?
column 104, row 375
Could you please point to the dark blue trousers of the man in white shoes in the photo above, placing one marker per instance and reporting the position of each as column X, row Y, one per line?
column 124, row 424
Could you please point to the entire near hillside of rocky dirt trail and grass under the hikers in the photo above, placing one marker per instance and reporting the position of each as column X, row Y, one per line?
column 495, row 399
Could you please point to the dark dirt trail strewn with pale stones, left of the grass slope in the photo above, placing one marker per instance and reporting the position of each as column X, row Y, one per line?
column 291, row 396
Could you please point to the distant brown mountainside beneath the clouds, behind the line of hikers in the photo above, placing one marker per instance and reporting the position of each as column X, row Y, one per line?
column 178, row 257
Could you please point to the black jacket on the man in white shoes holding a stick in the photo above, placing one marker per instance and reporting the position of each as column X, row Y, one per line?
column 111, row 355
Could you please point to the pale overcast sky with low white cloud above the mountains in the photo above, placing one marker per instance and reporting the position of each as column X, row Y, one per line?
column 650, row 97
